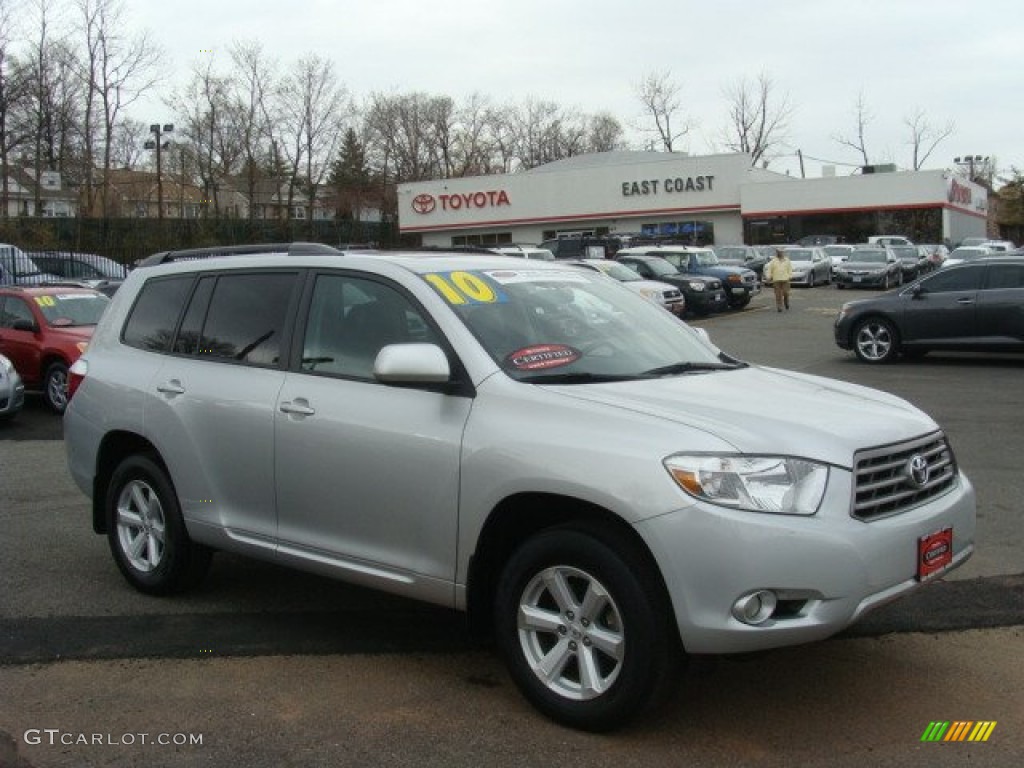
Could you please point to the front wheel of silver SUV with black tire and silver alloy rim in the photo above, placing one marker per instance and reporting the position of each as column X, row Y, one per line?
column 629, row 642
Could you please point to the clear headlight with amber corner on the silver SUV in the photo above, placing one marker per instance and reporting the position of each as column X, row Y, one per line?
column 757, row 484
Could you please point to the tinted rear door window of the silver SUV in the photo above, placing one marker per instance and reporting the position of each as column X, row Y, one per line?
column 246, row 319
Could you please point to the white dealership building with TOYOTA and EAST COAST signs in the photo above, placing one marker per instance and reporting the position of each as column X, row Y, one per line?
column 718, row 199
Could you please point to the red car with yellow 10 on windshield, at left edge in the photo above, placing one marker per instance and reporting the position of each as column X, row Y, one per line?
column 45, row 330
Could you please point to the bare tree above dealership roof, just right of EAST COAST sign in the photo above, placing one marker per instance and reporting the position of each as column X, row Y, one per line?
column 759, row 118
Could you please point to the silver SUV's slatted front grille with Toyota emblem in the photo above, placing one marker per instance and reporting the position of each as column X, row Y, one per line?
column 894, row 479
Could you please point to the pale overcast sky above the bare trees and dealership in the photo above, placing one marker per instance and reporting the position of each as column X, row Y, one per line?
column 957, row 62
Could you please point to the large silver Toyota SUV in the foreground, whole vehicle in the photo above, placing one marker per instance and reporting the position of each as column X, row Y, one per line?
column 531, row 443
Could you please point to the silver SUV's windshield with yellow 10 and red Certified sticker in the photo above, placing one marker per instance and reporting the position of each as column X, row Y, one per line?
column 562, row 326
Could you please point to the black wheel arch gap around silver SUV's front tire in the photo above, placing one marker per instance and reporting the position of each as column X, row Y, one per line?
column 518, row 519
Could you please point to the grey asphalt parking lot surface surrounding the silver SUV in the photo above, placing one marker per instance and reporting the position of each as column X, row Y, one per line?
column 274, row 668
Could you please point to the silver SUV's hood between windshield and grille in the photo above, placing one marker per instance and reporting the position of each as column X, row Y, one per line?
column 812, row 417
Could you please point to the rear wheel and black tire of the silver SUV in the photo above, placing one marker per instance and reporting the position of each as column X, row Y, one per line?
column 147, row 533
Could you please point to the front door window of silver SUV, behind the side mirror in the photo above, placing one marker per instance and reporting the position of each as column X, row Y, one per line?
column 352, row 320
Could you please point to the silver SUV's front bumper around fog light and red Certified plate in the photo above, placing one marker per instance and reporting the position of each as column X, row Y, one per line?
column 828, row 570
